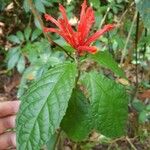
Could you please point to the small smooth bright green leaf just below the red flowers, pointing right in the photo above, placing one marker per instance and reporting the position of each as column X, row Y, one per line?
column 105, row 59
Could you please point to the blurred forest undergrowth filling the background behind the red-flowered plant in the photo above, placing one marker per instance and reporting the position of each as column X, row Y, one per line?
column 25, row 49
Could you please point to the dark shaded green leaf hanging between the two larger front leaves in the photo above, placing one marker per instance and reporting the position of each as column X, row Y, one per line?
column 76, row 121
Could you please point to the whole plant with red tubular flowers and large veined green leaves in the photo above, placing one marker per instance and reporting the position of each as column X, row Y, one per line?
column 56, row 101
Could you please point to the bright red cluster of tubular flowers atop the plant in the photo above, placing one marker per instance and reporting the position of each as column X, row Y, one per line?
column 80, row 39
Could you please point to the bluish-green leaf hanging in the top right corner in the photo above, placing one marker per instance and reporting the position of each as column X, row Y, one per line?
column 143, row 6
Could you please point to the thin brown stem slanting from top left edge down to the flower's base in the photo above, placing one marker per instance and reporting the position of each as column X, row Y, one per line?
column 37, row 15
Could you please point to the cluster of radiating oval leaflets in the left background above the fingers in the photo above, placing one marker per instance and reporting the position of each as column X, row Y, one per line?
column 16, row 55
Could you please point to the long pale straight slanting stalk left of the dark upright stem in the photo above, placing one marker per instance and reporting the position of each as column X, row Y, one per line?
column 128, row 38
